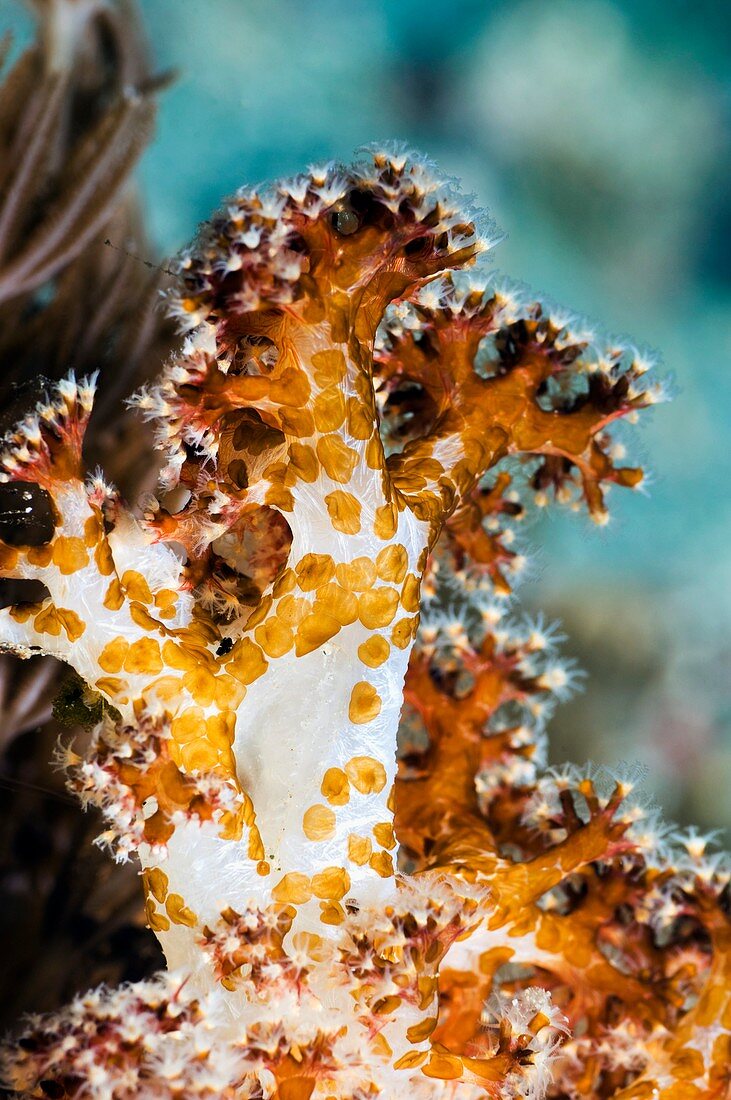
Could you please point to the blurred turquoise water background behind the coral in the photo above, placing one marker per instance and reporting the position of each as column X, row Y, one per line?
column 599, row 135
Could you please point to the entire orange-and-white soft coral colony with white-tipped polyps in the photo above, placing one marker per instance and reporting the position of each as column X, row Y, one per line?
column 351, row 435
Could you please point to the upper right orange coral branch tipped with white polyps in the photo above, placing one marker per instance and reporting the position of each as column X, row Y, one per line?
column 495, row 376
